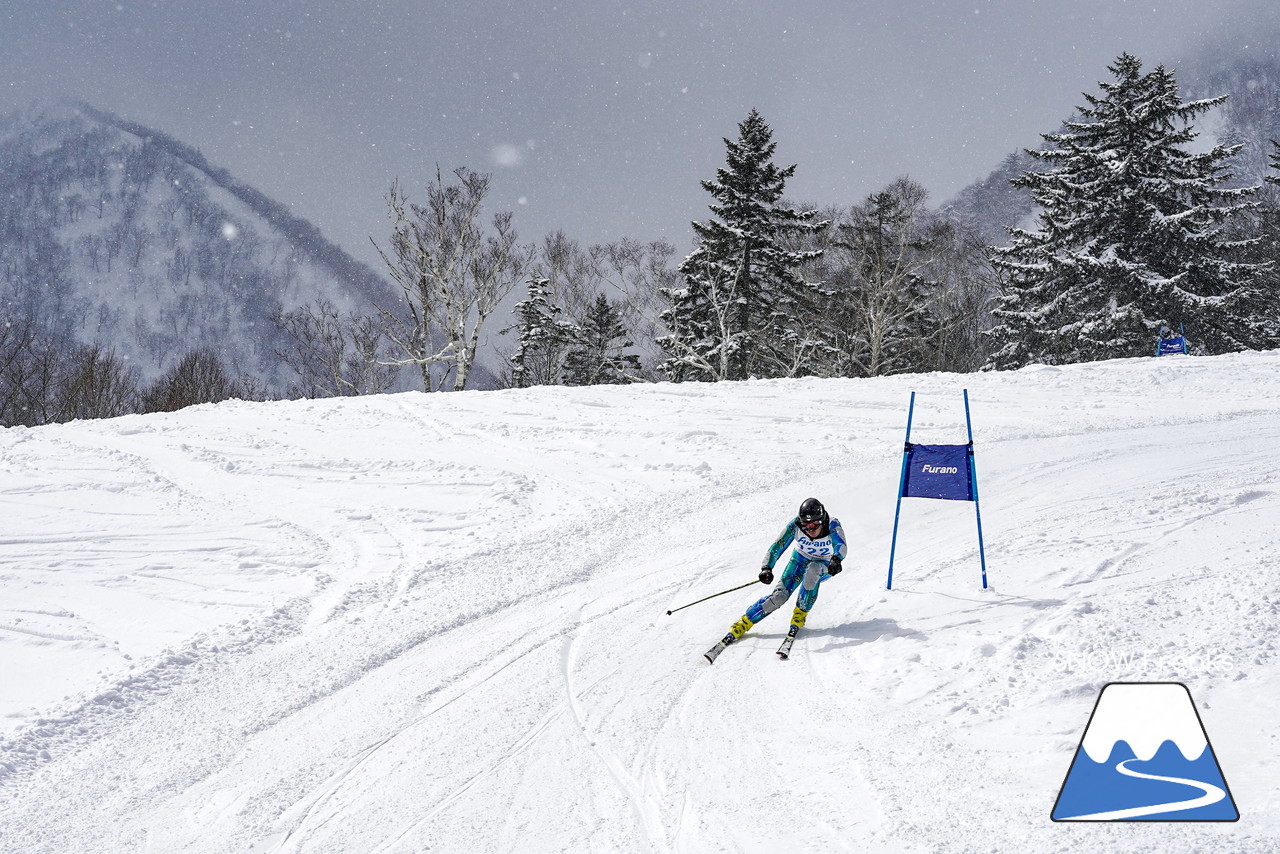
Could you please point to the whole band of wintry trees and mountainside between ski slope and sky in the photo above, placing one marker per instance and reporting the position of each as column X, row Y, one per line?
column 140, row 278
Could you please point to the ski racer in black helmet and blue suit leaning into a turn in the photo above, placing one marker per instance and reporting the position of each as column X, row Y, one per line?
column 820, row 550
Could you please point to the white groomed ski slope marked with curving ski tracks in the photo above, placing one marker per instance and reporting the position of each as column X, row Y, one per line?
column 438, row 623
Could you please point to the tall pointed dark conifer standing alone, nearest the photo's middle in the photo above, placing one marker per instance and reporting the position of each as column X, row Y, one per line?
column 735, row 316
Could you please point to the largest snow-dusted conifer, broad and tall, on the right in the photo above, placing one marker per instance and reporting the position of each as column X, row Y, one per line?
column 1131, row 235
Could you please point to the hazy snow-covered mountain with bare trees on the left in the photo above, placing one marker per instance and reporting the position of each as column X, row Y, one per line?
column 117, row 236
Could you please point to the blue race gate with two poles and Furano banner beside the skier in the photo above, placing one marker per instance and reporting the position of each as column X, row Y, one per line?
column 943, row 472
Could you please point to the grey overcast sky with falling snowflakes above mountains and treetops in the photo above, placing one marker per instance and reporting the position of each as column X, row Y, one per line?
column 598, row 117
